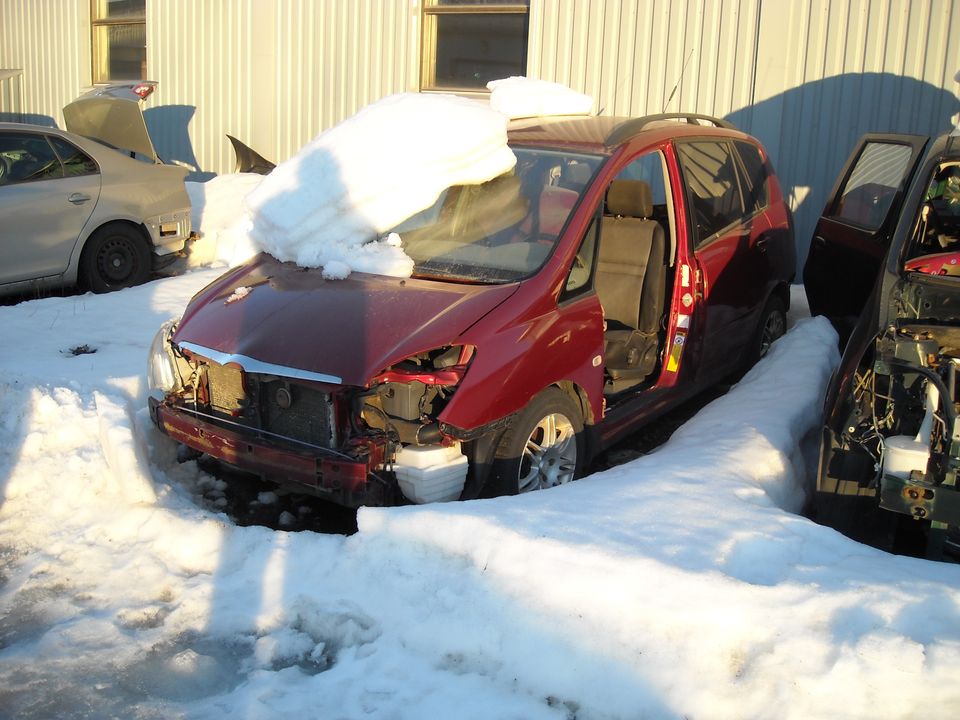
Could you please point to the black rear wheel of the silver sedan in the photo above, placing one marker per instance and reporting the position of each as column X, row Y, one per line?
column 115, row 257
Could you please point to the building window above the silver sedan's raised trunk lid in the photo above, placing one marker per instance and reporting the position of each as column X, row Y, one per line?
column 119, row 40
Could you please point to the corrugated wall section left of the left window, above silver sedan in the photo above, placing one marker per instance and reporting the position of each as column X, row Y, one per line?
column 46, row 39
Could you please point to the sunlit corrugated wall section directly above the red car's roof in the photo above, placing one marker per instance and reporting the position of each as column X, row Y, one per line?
column 639, row 57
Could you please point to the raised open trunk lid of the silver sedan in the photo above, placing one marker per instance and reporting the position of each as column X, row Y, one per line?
column 118, row 122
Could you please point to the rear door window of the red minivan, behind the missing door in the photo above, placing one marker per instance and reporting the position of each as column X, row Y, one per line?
column 712, row 188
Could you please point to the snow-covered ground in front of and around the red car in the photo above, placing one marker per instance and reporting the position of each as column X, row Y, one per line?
column 681, row 584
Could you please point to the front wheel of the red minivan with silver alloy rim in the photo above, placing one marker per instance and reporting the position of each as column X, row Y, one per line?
column 543, row 446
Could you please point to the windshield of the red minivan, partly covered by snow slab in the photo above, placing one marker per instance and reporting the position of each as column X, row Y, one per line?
column 504, row 229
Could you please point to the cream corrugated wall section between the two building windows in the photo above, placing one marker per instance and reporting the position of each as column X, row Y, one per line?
column 271, row 74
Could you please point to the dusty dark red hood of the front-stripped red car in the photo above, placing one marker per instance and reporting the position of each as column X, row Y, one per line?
column 268, row 313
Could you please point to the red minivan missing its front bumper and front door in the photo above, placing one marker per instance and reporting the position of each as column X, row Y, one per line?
column 622, row 266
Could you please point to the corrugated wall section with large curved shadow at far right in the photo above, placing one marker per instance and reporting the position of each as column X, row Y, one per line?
column 830, row 70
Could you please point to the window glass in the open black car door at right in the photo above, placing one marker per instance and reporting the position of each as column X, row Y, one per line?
column 873, row 183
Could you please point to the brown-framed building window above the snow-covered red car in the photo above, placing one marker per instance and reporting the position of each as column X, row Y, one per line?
column 467, row 43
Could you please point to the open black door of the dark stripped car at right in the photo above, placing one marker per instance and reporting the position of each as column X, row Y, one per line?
column 853, row 233
